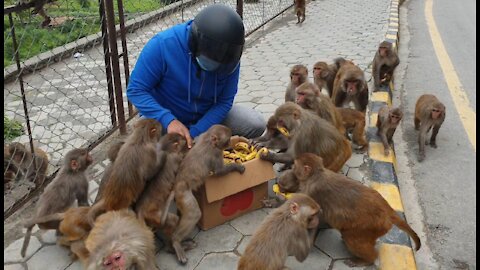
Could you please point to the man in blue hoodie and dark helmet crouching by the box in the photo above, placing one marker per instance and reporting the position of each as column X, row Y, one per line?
column 186, row 77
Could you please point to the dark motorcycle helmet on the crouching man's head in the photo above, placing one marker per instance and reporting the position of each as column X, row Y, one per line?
column 216, row 38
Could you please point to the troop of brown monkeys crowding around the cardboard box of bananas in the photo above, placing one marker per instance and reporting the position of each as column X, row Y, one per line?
column 309, row 134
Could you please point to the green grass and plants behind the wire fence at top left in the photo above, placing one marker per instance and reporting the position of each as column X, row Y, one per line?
column 81, row 19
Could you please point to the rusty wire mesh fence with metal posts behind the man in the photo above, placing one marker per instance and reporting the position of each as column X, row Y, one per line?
column 65, row 82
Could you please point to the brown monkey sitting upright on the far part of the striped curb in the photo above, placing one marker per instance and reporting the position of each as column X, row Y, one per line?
column 384, row 63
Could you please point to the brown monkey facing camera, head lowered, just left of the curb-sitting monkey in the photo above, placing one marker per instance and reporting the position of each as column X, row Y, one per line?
column 350, row 85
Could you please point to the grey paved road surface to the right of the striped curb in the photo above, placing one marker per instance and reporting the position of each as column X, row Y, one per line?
column 445, row 183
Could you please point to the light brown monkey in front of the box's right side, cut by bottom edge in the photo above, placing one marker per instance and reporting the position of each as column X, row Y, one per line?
column 288, row 231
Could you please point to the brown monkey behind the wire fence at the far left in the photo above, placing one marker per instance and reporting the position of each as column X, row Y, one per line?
column 21, row 163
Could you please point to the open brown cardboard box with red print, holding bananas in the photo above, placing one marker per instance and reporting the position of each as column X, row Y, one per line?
column 226, row 197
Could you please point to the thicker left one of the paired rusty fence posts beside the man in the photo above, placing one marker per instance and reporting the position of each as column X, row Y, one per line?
column 112, row 38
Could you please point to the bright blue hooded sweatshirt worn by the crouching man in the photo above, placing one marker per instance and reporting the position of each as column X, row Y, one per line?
column 167, row 84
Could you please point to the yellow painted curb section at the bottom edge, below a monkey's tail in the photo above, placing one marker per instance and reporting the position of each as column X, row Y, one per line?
column 396, row 257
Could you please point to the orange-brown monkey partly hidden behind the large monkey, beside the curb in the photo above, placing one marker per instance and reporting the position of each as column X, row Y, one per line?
column 354, row 122
